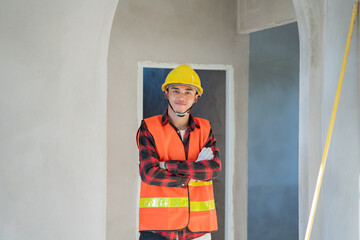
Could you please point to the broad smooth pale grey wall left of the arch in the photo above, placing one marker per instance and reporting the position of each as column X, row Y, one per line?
column 53, row 118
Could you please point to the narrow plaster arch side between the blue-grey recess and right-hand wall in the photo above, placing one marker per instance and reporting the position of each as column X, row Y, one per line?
column 310, row 17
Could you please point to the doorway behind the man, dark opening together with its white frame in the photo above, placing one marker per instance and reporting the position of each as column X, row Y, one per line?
column 213, row 105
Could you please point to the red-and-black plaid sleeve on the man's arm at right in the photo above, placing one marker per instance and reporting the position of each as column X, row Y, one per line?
column 202, row 170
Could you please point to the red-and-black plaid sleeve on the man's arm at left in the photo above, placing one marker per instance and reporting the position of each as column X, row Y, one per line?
column 149, row 168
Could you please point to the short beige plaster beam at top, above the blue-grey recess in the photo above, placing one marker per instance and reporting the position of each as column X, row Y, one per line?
column 254, row 15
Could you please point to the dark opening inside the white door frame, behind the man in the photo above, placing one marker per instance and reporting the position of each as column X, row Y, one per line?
column 210, row 106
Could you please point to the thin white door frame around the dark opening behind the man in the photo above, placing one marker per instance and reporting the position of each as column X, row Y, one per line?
column 229, row 133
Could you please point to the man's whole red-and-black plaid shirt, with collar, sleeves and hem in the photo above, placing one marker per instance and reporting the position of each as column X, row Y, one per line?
column 178, row 173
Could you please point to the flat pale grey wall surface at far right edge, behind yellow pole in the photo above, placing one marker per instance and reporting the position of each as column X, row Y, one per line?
column 342, row 174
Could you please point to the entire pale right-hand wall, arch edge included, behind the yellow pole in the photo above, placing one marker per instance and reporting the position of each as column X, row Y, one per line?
column 323, row 39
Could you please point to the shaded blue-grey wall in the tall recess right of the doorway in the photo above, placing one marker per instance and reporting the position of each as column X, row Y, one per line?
column 273, row 133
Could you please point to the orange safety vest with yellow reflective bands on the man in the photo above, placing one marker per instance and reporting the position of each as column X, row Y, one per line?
column 174, row 208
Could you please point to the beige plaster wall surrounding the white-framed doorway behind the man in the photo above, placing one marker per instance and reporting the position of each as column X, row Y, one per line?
column 201, row 32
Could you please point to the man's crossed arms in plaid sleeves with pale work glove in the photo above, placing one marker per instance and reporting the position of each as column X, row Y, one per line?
column 178, row 173
